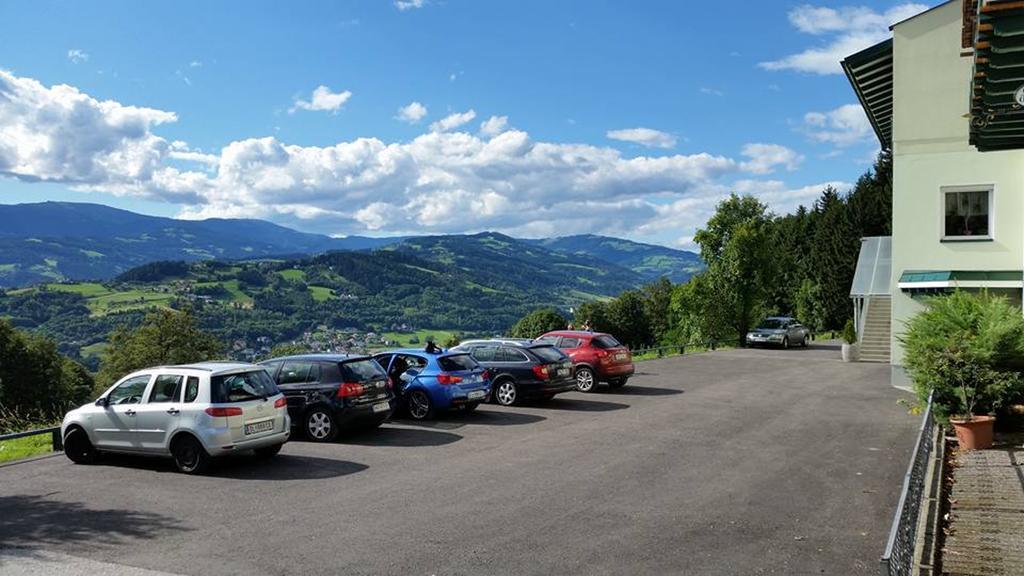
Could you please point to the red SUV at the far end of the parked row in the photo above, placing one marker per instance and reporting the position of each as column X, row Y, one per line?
column 598, row 357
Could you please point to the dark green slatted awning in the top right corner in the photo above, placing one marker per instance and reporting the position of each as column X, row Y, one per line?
column 998, row 87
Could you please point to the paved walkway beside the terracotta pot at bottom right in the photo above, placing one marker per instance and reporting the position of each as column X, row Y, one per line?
column 987, row 522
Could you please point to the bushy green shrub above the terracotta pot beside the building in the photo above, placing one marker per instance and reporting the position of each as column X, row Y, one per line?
column 968, row 350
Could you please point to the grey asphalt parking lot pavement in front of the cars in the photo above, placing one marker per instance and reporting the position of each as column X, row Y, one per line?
column 727, row 463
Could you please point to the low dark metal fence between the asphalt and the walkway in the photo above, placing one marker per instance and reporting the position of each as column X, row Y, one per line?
column 899, row 558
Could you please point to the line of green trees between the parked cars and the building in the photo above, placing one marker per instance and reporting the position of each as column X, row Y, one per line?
column 758, row 265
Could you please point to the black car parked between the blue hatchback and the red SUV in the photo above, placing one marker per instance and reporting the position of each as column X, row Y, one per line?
column 523, row 369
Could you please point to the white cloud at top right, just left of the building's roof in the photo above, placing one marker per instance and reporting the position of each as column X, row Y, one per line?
column 846, row 30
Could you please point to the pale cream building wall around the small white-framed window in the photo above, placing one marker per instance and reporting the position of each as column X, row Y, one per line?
column 931, row 92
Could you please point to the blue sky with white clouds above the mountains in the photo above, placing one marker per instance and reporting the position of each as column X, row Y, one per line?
column 532, row 118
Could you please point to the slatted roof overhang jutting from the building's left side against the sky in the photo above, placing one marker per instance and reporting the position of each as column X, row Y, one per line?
column 871, row 73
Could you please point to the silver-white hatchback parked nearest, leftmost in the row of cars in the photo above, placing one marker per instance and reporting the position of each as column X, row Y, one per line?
column 189, row 413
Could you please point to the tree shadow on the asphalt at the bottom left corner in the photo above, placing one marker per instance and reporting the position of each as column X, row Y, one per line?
column 37, row 522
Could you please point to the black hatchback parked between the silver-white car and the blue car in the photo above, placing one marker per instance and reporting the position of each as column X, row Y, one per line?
column 328, row 394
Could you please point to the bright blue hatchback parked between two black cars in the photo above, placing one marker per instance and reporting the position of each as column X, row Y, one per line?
column 428, row 383
